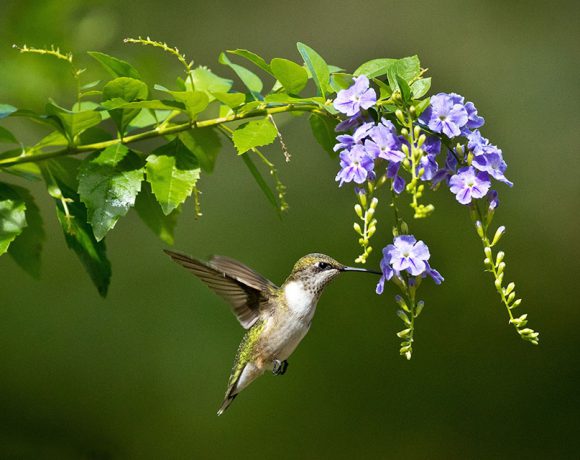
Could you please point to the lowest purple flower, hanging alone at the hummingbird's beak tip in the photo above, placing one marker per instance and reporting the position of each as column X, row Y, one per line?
column 406, row 254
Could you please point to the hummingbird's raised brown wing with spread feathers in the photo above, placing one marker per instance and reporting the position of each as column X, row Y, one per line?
column 244, row 289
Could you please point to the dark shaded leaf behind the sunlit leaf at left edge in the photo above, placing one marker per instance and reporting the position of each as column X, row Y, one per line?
column 27, row 248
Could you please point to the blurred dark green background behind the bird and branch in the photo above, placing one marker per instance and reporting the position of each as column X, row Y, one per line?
column 142, row 373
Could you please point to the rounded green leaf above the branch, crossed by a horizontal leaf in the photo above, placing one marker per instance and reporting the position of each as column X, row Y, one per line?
column 126, row 89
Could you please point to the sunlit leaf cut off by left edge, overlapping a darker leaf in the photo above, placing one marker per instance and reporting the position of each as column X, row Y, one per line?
column 12, row 216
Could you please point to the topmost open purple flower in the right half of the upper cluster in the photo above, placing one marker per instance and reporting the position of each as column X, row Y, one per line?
column 445, row 114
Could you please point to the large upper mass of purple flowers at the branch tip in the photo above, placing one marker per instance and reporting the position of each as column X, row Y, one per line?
column 468, row 168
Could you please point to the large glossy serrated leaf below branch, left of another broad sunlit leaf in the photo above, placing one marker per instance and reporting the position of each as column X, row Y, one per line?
column 108, row 190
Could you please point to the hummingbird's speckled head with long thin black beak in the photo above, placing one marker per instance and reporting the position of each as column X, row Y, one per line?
column 315, row 271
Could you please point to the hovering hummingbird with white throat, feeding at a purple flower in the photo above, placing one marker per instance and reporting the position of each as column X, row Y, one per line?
column 276, row 318
